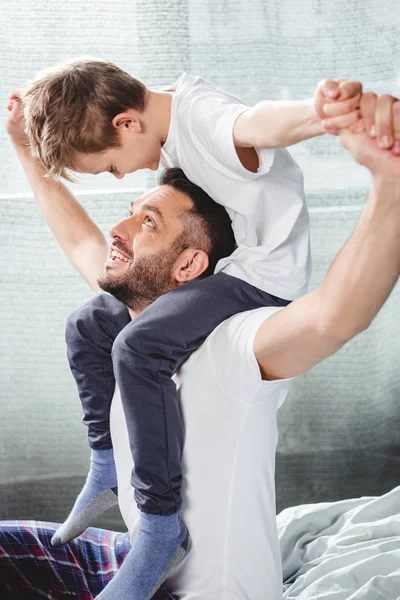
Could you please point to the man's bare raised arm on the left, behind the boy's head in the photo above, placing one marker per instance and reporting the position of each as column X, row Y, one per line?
column 82, row 241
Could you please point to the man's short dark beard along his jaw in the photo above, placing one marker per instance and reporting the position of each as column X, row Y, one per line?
column 145, row 279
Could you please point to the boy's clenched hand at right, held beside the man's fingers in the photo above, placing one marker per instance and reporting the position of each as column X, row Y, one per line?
column 337, row 103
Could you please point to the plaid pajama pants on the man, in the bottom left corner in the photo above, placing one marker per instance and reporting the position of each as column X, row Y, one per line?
column 31, row 569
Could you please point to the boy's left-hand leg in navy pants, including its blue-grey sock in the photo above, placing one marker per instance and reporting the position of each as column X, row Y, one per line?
column 90, row 334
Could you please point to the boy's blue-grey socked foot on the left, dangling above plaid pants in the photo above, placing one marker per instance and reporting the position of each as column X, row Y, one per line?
column 98, row 494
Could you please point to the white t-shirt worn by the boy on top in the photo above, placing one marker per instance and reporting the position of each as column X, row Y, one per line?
column 268, row 211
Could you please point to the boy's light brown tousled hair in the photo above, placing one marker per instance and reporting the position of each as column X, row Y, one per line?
column 69, row 109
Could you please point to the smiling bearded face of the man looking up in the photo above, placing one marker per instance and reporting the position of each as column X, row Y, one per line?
column 145, row 248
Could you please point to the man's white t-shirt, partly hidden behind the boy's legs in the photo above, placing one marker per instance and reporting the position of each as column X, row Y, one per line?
column 229, row 416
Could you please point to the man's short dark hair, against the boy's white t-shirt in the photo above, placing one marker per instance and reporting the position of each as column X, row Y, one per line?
column 207, row 225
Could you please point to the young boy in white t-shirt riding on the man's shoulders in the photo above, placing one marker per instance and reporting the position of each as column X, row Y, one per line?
column 90, row 116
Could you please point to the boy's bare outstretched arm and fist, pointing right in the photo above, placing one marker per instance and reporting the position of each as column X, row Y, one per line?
column 277, row 124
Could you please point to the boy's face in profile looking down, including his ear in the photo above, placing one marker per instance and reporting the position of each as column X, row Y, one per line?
column 140, row 149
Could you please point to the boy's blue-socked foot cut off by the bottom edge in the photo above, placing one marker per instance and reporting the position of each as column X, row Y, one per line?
column 158, row 546
